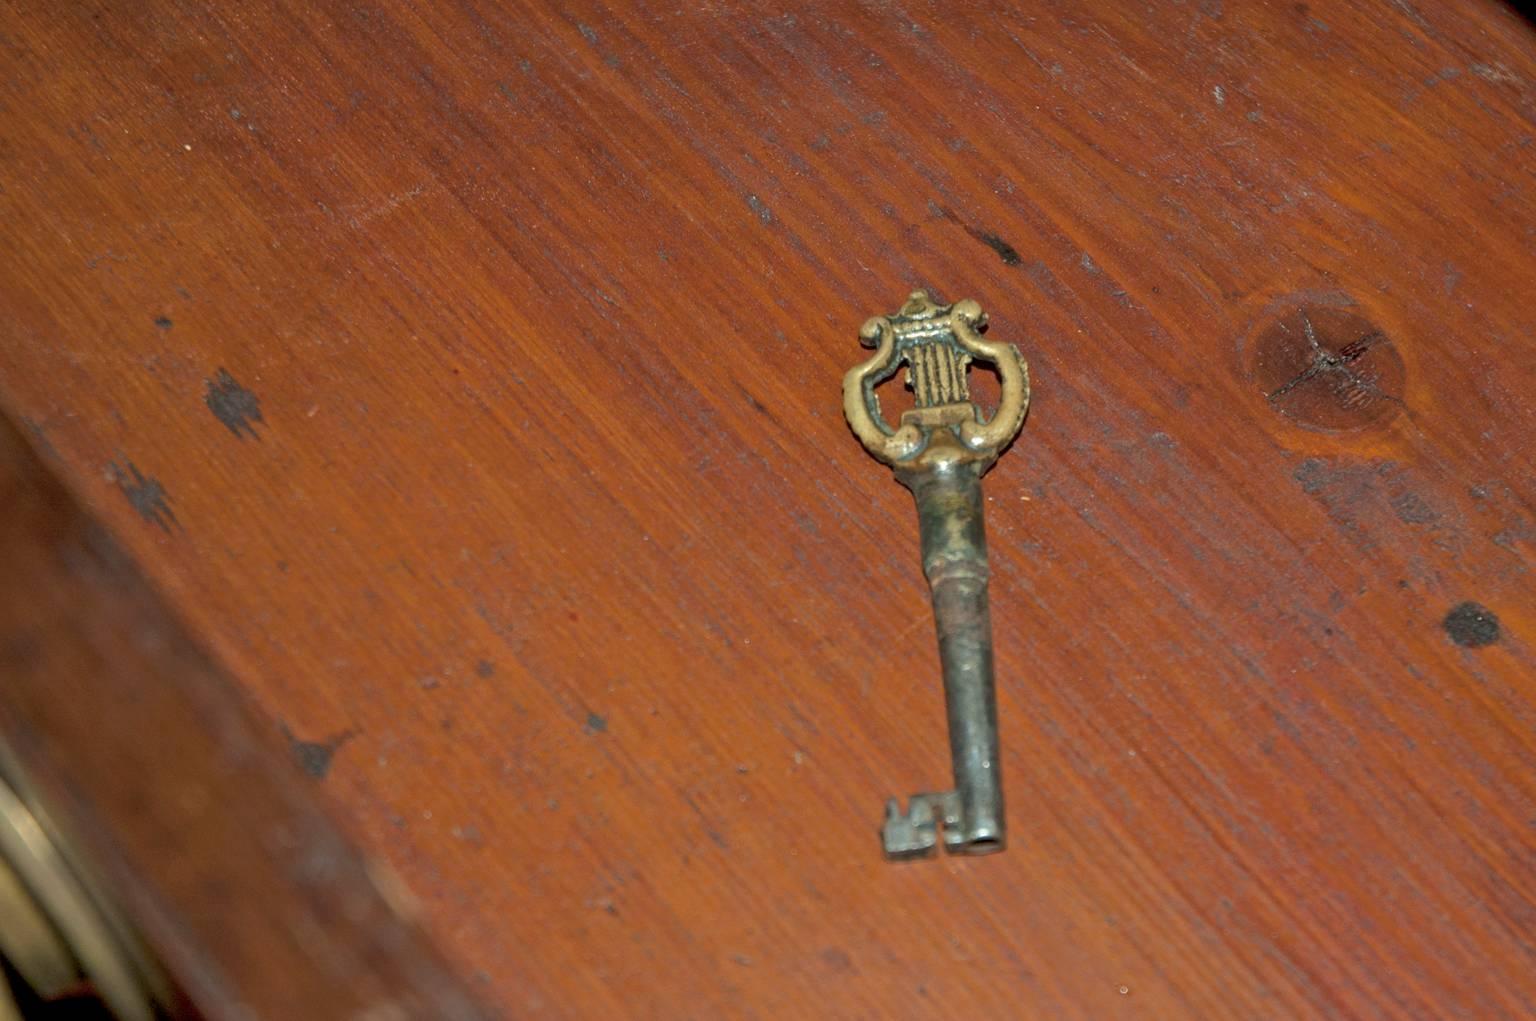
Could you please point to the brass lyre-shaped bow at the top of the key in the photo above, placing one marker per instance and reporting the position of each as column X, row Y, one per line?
column 938, row 345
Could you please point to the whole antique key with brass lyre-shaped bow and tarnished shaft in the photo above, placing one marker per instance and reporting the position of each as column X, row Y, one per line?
column 939, row 451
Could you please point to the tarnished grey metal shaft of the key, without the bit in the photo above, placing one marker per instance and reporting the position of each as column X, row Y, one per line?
column 955, row 561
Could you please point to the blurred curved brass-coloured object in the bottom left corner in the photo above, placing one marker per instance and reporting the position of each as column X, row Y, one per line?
column 58, row 928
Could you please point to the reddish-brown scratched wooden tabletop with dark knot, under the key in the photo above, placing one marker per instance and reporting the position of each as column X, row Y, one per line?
column 468, row 375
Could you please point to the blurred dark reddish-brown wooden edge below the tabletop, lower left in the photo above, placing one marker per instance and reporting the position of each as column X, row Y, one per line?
column 185, row 805
